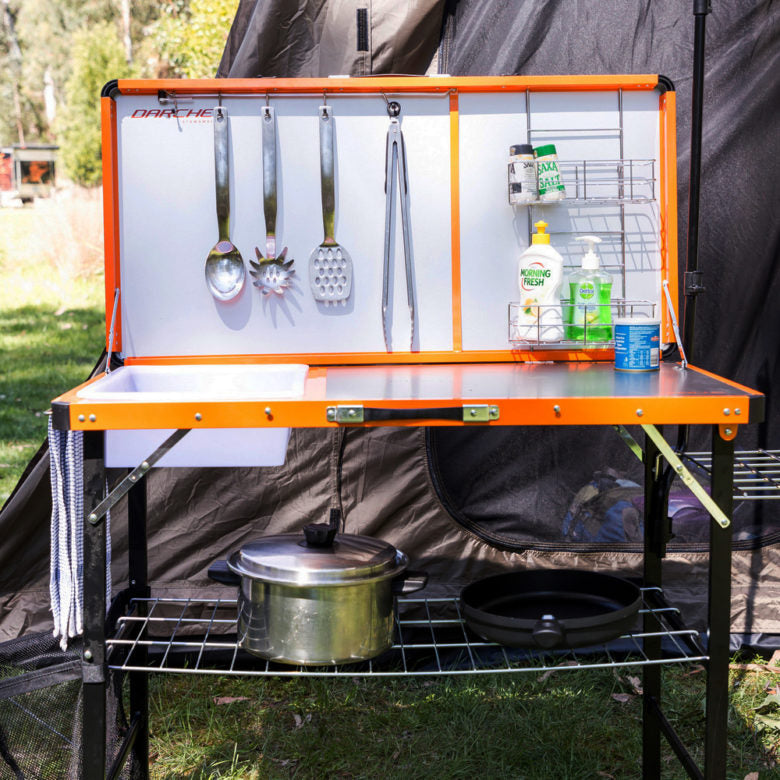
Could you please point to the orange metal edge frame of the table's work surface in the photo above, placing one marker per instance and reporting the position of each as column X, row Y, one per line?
column 310, row 411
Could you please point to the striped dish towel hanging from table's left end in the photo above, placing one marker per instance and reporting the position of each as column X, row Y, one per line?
column 66, row 576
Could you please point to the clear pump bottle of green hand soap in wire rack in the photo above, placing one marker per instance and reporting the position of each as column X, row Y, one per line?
column 589, row 315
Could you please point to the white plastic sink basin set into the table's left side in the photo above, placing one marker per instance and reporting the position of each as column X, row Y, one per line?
column 212, row 447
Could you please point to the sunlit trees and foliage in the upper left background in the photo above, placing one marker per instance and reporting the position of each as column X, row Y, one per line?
column 56, row 55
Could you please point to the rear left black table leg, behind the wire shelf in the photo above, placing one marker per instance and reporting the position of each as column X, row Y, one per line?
column 139, row 589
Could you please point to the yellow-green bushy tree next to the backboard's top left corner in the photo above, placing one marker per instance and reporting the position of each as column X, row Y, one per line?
column 98, row 56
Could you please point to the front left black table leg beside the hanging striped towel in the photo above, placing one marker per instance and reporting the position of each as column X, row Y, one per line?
column 93, row 723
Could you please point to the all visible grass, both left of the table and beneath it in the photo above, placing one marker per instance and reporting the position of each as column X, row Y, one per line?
column 563, row 726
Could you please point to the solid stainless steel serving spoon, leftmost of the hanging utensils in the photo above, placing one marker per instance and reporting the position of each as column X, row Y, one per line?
column 224, row 266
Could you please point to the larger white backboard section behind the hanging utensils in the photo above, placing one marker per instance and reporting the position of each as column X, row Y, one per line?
column 168, row 225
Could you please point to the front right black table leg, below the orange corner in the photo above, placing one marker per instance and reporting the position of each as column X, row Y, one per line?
column 719, row 610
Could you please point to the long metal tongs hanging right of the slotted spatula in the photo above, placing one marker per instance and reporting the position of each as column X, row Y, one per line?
column 395, row 160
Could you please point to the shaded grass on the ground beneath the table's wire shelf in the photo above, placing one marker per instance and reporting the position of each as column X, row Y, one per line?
column 531, row 726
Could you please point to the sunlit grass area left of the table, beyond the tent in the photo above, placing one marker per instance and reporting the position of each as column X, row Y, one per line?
column 51, row 334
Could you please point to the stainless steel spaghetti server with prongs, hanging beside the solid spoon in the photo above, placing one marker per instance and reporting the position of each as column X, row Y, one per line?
column 271, row 273
